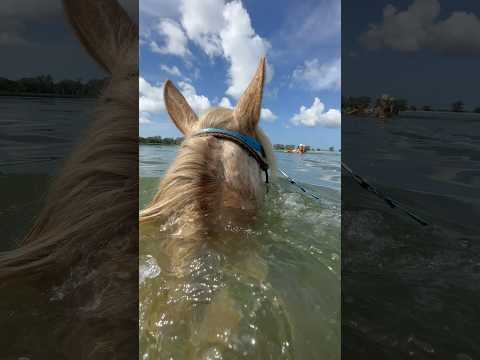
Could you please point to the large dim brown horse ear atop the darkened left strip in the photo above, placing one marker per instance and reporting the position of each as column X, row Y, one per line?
column 104, row 29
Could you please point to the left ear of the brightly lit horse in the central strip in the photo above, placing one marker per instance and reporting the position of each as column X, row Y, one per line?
column 177, row 106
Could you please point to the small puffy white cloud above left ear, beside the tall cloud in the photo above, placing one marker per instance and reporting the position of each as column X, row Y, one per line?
column 174, row 38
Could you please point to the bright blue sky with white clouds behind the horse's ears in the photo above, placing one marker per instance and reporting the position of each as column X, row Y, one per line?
column 210, row 50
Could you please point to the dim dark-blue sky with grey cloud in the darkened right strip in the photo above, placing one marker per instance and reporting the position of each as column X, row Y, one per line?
column 426, row 51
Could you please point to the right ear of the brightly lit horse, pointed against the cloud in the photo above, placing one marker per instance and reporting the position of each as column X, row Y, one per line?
column 247, row 111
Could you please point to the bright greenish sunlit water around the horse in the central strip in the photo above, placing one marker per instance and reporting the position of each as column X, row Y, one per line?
column 271, row 291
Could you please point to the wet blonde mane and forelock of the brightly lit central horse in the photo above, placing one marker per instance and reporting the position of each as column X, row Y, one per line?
column 195, row 181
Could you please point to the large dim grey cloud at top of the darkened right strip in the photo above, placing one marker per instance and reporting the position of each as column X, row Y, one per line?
column 419, row 27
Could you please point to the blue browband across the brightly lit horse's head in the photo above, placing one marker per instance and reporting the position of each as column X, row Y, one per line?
column 250, row 144
